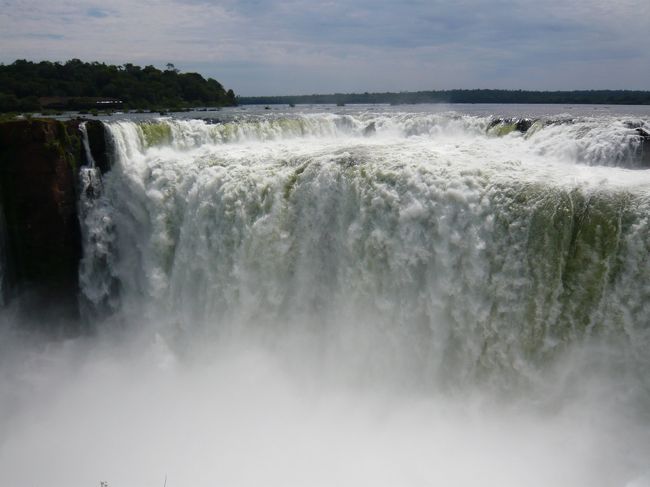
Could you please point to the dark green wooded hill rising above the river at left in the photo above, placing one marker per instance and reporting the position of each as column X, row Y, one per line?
column 29, row 86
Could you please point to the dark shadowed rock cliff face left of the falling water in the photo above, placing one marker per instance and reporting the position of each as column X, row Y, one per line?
column 39, row 162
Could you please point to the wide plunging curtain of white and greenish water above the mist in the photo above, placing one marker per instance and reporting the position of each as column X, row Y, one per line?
column 456, row 253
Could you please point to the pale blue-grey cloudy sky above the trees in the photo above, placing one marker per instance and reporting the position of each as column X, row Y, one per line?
column 266, row 47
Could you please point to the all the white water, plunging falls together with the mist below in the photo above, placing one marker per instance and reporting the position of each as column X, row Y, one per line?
column 289, row 302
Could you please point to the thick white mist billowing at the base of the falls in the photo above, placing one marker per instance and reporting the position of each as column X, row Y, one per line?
column 131, row 411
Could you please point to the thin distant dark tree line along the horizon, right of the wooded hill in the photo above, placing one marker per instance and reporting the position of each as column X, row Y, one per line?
column 605, row 97
